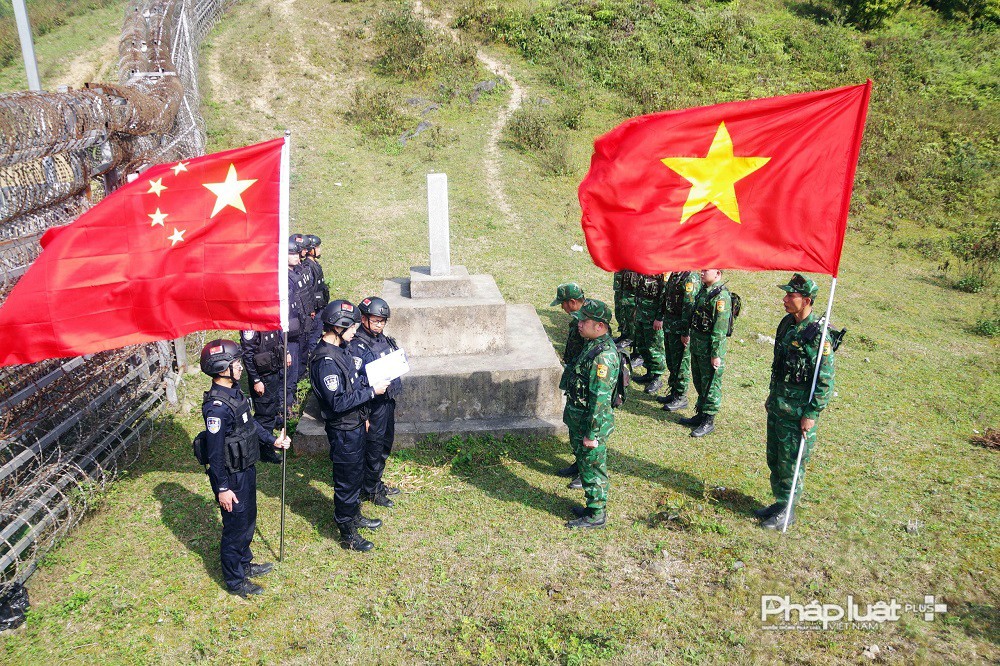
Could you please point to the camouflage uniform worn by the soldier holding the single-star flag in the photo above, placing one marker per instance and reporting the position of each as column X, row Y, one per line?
column 796, row 348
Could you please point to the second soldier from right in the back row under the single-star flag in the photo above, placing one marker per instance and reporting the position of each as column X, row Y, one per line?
column 679, row 293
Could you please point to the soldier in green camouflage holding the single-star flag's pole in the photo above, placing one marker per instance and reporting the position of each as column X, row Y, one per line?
column 790, row 412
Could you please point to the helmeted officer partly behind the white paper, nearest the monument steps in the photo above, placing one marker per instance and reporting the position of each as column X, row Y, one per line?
column 368, row 344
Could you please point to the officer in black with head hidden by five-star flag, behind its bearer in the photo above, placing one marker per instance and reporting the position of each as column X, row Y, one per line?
column 264, row 360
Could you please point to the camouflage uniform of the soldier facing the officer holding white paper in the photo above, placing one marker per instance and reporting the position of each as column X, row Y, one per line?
column 589, row 384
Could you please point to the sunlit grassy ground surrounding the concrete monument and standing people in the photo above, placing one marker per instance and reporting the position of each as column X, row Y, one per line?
column 474, row 565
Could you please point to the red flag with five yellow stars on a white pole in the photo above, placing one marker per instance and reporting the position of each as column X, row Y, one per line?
column 189, row 246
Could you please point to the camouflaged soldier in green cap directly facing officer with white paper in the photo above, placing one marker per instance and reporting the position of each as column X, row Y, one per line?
column 589, row 384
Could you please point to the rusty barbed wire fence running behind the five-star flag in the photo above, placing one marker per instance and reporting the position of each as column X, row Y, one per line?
column 68, row 426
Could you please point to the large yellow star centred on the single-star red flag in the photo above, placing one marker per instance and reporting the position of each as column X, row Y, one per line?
column 714, row 176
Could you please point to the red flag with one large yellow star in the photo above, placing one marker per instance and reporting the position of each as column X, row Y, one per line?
column 758, row 185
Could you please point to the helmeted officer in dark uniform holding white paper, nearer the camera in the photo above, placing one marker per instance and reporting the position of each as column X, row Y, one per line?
column 343, row 395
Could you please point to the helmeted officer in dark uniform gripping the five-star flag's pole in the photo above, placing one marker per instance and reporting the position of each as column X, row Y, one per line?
column 232, row 444
